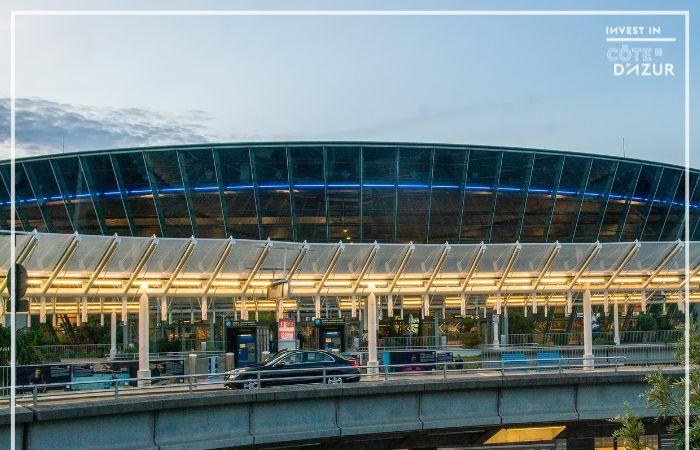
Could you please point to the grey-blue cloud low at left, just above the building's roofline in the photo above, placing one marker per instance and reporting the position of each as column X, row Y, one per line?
column 43, row 126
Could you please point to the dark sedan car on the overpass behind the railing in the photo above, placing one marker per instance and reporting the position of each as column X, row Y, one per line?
column 295, row 367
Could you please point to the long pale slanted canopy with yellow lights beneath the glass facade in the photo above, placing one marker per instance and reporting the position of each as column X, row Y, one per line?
column 102, row 267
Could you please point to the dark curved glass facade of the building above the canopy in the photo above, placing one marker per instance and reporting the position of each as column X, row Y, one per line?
column 354, row 192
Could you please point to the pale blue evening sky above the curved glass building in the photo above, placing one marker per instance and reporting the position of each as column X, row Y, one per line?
column 94, row 82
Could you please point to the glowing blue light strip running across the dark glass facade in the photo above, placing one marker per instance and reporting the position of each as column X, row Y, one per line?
column 368, row 185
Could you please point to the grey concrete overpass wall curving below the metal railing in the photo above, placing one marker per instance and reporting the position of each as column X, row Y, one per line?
column 394, row 414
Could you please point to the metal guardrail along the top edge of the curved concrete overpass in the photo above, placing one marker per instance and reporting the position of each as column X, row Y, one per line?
column 501, row 368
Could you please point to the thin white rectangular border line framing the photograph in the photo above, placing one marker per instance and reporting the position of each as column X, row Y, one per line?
column 684, row 13
